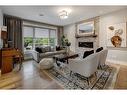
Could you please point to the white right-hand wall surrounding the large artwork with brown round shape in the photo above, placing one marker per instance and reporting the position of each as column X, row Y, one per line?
column 114, row 55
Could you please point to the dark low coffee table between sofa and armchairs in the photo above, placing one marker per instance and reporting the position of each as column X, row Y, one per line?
column 64, row 57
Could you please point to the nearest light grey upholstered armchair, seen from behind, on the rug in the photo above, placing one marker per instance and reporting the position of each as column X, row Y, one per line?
column 85, row 67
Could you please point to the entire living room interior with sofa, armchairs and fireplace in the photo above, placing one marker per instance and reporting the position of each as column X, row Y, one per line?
column 54, row 47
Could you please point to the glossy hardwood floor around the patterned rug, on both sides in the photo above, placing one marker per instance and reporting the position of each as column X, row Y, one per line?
column 33, row 78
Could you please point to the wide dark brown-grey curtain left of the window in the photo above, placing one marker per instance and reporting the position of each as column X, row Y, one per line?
column 14, row 31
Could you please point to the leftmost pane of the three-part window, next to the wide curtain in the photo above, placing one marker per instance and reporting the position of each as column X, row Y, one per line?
column 28, row 38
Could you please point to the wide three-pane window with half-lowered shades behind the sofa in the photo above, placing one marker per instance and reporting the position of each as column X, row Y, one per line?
column 34, row 37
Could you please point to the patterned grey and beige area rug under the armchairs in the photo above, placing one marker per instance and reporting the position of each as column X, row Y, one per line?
column 102, row 79
